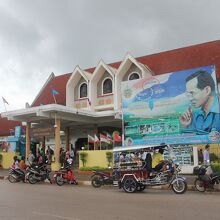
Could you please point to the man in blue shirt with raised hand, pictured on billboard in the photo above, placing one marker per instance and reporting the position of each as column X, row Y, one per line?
column 202, row 114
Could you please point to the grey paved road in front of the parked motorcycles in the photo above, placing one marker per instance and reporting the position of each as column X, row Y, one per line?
column 46, row 202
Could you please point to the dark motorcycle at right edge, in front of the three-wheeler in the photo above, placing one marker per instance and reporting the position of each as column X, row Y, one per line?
column 206, row 178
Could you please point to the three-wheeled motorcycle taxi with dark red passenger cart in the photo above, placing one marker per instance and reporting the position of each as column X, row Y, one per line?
column 134, row 176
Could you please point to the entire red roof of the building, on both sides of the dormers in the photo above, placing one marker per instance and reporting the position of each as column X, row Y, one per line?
column 174, row 60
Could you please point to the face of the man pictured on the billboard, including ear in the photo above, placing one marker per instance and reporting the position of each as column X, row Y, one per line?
column 197, row 97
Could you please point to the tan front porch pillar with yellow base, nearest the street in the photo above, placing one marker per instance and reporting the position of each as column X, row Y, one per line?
column 56, row 164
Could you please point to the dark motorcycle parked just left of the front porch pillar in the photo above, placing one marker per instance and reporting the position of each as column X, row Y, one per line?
column 38, row 173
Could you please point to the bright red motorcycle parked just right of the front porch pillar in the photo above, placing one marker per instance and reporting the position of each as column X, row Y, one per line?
column 65, row 175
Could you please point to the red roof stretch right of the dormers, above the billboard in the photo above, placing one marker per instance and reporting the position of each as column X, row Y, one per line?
column 184, row 58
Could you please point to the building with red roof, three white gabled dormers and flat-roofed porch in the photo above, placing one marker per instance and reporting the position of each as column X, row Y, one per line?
column 71, row 106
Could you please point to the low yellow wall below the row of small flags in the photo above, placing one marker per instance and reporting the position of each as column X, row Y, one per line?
column 95, row 158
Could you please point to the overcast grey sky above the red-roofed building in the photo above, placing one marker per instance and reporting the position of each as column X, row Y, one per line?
column 45, row 36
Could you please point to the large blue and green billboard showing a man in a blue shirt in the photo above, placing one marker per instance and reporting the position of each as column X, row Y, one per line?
column 174, row 108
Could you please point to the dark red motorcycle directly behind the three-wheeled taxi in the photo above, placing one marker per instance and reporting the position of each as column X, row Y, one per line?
column 99, row 178
